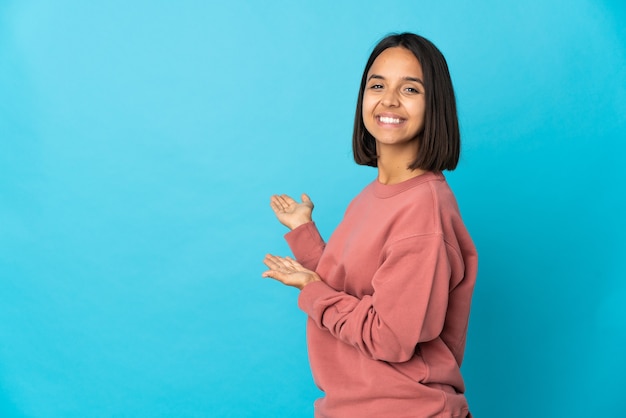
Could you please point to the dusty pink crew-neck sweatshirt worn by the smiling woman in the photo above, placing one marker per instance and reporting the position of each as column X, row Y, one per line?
column 387, row 325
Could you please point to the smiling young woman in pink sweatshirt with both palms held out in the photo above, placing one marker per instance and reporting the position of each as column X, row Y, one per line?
column 388, row 297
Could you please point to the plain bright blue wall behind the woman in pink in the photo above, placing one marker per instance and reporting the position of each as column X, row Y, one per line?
column 139, row 144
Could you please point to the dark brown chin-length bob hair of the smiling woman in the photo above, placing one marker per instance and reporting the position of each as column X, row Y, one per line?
column 440, row 140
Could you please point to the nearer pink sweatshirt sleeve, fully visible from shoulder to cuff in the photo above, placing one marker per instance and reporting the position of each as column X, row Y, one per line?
column 408, row 305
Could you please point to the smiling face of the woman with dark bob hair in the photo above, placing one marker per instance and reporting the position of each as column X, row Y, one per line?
column 394, row 100
